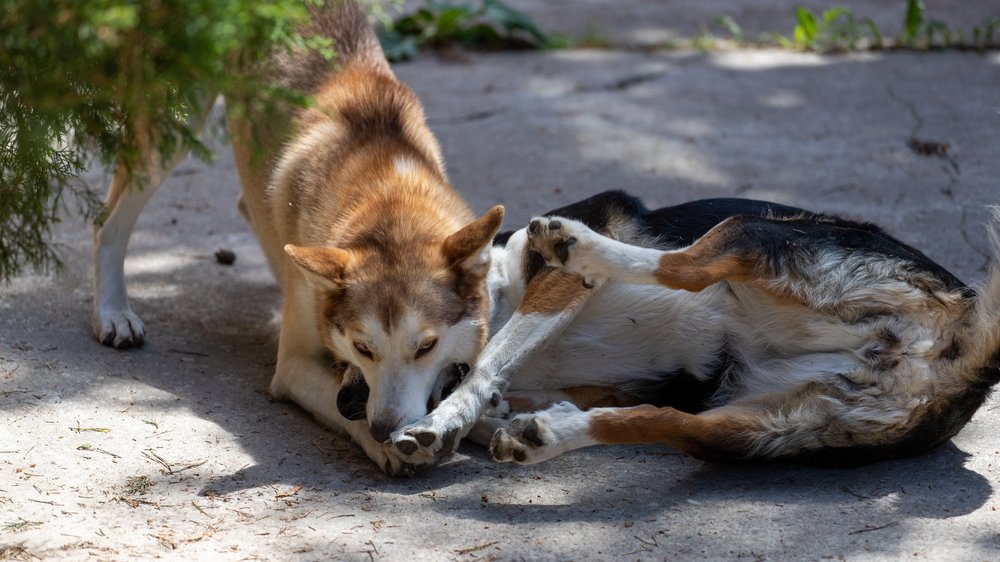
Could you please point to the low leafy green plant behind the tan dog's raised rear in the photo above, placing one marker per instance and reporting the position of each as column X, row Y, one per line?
column 490, row 25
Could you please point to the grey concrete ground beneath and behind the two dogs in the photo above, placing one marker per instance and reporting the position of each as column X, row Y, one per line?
column 176, row 451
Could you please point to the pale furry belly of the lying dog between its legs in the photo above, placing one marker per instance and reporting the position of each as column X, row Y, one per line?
column 656, row 342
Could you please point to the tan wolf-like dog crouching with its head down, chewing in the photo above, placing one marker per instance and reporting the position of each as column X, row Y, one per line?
column 381, row 263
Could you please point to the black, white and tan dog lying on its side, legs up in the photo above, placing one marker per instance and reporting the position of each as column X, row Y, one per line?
column 728, row 328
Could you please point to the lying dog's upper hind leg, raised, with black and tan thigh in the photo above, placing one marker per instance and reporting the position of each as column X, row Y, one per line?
column 824, row 264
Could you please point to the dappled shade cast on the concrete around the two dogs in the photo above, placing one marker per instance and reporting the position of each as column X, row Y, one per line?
column 561, row 127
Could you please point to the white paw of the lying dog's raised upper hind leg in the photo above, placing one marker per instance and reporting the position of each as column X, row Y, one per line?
column 568, row 244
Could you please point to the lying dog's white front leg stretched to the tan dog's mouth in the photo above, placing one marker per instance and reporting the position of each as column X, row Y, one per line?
column 552, row 299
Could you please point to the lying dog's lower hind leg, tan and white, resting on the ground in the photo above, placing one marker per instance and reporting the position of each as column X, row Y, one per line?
column 816, row 422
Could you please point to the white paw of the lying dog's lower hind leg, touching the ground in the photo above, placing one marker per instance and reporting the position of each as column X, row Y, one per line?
column 537, row 437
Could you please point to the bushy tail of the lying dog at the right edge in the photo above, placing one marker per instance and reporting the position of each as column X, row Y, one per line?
column 974, row 355
